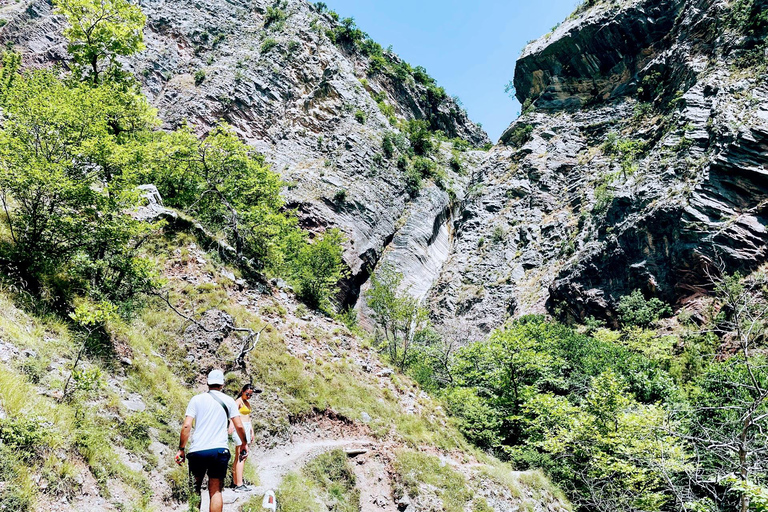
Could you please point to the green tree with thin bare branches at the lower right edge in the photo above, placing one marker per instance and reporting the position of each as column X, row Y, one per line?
column 728, row 416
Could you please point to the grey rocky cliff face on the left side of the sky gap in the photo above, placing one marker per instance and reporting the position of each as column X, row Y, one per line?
column 270, row 70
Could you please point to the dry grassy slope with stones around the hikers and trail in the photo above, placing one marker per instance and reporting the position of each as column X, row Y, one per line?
column 93, row 444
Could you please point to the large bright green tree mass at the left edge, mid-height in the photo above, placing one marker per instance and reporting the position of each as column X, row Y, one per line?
column 66, row 189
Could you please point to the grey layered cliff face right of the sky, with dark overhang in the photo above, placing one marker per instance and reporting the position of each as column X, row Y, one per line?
column 640, row 163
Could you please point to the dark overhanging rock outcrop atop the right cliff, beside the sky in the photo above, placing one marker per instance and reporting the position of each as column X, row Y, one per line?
column 595, row 56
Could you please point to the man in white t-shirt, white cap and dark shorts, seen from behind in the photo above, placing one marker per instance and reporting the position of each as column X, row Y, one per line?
column 211, row 413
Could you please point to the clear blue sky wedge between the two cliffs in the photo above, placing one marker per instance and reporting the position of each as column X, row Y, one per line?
column 470, row 47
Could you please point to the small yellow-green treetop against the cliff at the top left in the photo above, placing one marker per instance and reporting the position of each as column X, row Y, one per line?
column 99, row 31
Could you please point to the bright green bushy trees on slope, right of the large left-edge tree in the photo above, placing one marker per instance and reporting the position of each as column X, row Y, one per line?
column 229, row 187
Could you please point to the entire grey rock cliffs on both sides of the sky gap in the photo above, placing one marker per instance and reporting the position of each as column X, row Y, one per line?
column 639, row 162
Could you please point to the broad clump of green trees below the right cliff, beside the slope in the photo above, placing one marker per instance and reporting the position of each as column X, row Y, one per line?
column 534, row 383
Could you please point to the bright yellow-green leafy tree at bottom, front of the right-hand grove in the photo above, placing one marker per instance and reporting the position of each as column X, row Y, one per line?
column 616, row 450
